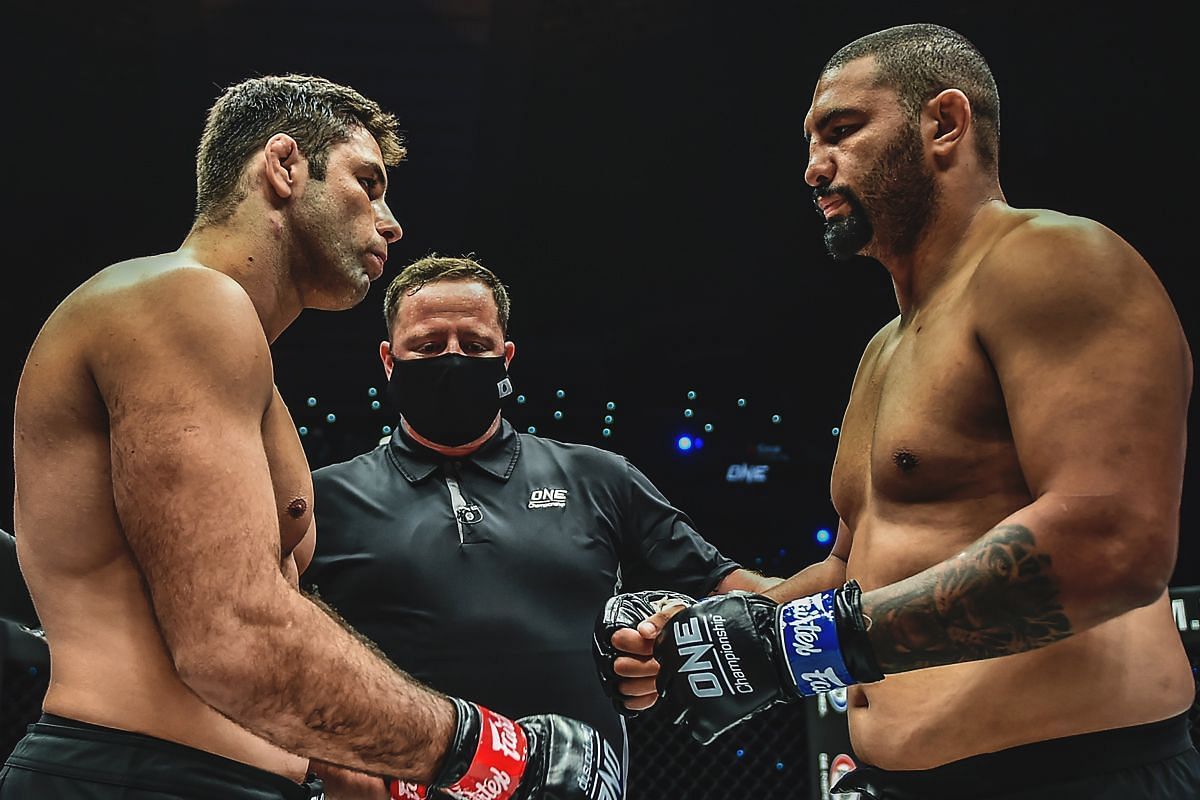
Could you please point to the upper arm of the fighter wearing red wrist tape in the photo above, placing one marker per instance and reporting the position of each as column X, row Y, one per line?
column 191, row 483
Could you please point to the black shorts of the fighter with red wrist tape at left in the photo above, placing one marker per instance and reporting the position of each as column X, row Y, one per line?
column 65, row 760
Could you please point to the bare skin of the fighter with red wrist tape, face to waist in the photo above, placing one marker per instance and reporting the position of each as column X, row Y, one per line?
column 164, row 504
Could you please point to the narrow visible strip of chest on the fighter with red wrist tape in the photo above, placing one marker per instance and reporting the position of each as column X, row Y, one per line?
column 291, row 477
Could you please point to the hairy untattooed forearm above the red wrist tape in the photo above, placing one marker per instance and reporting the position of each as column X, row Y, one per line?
column 302, row 679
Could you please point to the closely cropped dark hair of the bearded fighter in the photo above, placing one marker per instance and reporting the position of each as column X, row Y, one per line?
column 921, row 61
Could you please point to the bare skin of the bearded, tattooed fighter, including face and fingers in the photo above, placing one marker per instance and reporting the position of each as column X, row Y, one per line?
column 1010, row 467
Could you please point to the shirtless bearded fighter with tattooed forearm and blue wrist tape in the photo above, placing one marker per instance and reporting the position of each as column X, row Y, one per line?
column 1009, row 478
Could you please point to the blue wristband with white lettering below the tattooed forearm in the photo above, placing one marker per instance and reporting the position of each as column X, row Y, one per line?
column 808, row 634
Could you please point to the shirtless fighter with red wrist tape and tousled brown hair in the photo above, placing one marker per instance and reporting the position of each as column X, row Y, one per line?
column 165, row 506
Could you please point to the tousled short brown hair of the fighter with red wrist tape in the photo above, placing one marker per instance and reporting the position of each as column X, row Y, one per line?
column 315, row 112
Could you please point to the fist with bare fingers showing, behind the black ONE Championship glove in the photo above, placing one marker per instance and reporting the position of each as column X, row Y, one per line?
column 621, row 617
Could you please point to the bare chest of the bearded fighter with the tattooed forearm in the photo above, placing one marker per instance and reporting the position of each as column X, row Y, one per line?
column 926, row 420
